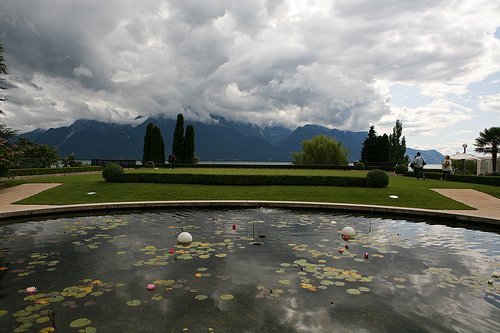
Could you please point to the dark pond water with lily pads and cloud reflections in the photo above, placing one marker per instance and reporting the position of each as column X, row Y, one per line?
column 92, row 274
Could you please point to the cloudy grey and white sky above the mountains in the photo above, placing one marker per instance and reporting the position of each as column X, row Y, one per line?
column 345, row 64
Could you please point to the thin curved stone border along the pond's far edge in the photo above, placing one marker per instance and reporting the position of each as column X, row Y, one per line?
column 151, row 205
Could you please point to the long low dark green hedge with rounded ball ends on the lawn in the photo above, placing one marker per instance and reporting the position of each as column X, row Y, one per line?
column 245, row 180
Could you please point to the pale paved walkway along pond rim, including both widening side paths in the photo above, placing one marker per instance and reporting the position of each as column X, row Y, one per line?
column 487, row 207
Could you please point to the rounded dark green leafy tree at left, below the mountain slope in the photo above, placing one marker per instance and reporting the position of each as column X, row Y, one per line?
column 33, row 155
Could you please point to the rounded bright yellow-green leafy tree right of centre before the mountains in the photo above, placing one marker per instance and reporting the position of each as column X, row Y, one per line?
column 321, row 150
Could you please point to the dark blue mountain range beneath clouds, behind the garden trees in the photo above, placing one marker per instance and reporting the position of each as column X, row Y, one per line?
column 219, row 140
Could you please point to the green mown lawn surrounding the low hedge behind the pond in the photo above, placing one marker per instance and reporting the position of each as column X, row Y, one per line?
column 411, row 193
